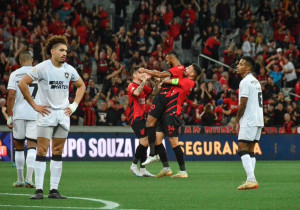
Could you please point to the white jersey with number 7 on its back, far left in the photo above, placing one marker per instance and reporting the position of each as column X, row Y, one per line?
column 22, row 110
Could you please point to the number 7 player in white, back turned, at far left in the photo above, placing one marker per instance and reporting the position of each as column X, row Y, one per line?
column 22, row 120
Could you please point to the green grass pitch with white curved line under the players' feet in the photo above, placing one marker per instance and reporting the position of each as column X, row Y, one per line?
column 211, row 185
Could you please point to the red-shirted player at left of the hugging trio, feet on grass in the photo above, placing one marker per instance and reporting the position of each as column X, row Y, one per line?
column 137, row 94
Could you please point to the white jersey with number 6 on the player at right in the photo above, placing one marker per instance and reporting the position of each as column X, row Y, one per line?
column 251, row 89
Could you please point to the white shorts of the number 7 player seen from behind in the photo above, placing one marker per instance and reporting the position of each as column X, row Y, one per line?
column 24, row 129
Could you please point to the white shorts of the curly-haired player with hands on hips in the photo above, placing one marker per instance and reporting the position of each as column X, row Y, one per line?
column 56, row 117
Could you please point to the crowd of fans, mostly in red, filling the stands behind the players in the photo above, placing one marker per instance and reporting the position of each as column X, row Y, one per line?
column 104, row 49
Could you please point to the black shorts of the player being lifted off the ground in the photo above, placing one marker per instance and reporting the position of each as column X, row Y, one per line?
column 157, row 108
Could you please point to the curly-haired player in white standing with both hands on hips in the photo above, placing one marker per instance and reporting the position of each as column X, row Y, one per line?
column 54, row 111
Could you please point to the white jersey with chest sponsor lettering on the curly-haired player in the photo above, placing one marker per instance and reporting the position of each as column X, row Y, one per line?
column 54, row 83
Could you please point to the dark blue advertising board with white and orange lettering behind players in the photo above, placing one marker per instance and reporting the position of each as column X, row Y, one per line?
column 202, row 147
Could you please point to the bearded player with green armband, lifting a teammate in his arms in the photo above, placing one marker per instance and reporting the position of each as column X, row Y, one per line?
column 169, row 109
